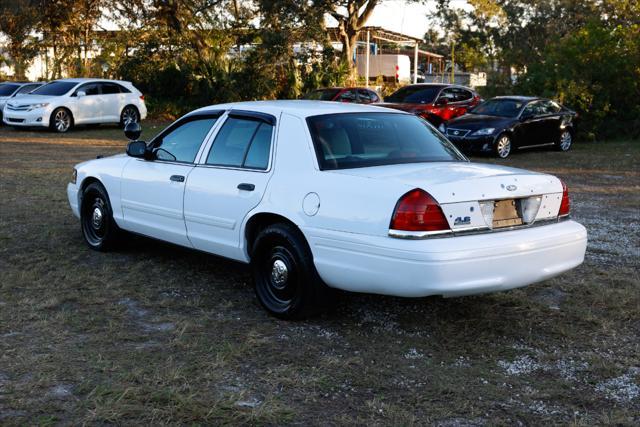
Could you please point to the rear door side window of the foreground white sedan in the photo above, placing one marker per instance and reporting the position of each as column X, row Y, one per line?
column 242, row 143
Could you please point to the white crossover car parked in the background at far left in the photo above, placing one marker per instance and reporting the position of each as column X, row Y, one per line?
column 61, row 104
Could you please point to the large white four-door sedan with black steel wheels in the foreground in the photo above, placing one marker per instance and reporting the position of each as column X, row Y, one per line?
column 321, row 195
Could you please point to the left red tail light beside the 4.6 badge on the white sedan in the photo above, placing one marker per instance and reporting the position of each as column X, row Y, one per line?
column 418, row 211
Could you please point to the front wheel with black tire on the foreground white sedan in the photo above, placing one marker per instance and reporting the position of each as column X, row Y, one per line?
column 99, row 229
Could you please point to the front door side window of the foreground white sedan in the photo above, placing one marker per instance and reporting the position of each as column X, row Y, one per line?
column 182, row 143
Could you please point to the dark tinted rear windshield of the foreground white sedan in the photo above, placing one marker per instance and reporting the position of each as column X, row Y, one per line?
column 354, row 140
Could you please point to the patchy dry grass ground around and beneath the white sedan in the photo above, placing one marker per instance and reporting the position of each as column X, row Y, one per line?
column 154, row 334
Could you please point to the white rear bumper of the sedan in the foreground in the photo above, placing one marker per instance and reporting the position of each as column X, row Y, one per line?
column 454, row 266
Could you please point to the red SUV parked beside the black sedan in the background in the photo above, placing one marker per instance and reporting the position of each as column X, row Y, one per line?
column 437, row 103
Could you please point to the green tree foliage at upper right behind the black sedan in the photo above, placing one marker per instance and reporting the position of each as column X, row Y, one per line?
column 584, row 53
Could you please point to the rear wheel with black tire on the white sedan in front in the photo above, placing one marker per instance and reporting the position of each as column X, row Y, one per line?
column 286, row 281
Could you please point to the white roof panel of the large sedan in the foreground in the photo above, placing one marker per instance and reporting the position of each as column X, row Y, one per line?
column 298, row 108
